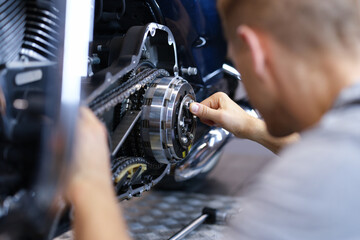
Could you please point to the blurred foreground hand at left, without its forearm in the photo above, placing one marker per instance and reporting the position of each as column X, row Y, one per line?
column 91, row 163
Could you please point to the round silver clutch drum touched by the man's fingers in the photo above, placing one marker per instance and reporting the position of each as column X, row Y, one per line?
column 164, row 100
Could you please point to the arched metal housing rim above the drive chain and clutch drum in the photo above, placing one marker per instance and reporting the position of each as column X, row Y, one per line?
column 131, row 56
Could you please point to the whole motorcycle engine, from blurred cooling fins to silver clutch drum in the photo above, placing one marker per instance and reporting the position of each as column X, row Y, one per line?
column 133, row 86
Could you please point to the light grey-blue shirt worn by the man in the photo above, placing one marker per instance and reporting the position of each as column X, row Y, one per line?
column 312, row 191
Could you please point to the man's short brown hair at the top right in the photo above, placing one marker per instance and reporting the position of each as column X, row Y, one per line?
column 301, row 25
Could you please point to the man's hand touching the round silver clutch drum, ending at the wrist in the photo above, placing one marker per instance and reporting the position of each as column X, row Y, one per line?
column 219, row 110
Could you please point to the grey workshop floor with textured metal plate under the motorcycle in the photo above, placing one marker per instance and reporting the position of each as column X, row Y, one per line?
column 158, row 215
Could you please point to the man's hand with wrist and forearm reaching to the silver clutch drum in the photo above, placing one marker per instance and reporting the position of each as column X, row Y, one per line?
column 219, row 110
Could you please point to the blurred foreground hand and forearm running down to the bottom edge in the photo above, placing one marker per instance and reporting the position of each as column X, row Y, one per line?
column 89, row 189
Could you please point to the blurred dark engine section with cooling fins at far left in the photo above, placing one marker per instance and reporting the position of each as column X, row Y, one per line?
column 29, row 33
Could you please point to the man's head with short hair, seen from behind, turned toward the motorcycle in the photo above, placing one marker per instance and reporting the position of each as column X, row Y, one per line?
column 282, row 46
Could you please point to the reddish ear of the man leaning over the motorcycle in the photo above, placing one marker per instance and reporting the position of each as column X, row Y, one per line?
column 253, row 41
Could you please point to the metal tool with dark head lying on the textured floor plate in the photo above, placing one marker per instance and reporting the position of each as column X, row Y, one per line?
column 209, row 216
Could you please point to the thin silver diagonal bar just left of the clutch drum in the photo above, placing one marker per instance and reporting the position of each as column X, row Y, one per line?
column 123, row 130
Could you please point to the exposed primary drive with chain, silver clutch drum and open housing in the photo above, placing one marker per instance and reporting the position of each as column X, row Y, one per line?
column 148, row 103
